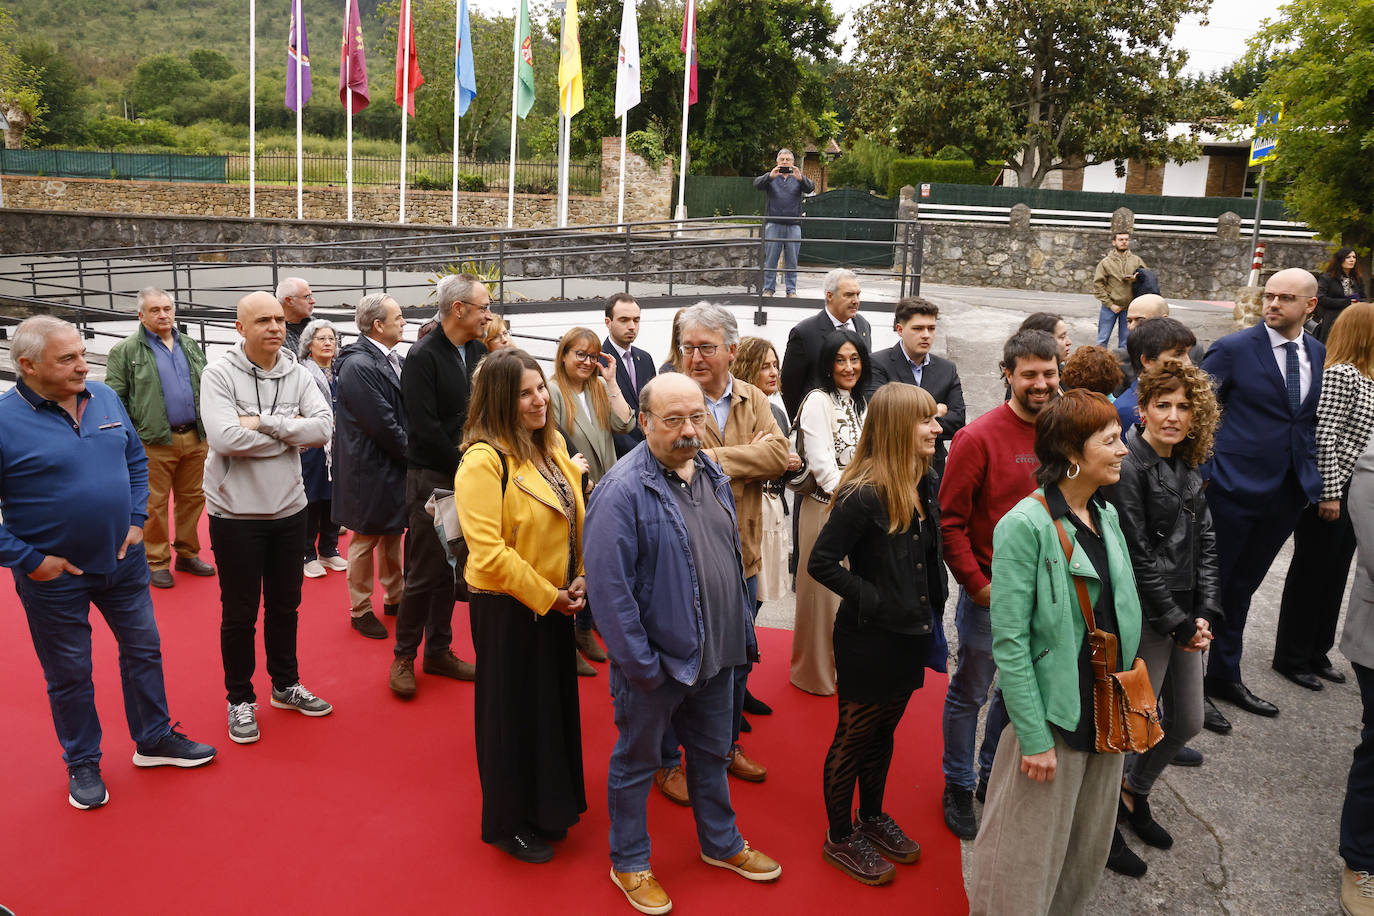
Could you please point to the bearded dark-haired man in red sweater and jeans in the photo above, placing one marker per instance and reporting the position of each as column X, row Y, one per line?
column 991, row 469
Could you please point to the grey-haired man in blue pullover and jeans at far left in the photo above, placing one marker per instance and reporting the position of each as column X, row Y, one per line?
column 75, row 494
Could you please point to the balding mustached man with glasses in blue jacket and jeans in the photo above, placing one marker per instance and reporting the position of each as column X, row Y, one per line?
column 666, row 580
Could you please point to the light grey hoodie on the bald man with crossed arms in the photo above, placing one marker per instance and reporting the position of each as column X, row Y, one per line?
column 256, row 474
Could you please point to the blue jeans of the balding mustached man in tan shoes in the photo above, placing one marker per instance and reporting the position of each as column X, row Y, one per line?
column 701, row 715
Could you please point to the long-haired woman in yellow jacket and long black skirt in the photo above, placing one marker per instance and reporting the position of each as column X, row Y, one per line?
column 521, row 509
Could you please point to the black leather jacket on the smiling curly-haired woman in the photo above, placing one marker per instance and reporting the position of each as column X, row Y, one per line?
column 1169, row 531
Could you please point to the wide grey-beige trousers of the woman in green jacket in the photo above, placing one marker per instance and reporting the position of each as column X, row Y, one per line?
column 1042, row 847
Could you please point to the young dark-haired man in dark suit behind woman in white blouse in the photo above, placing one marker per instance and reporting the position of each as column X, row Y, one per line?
column 910, row 362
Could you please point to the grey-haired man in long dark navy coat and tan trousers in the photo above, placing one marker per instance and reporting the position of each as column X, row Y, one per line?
column 370, row 459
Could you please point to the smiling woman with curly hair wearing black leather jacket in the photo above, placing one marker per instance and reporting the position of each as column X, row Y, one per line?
column 1169, row 531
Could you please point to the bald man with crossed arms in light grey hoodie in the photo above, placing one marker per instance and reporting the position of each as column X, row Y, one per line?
column 260, row 410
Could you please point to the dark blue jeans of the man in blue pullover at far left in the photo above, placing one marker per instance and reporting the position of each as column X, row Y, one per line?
column 60, row 621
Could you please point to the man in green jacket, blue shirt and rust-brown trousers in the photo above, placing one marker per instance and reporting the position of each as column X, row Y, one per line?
column 157, row 374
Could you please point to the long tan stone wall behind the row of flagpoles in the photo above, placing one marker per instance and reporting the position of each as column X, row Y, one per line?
column 648, row 198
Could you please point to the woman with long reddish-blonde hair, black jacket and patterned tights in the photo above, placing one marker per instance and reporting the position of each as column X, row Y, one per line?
column 886, row 521
